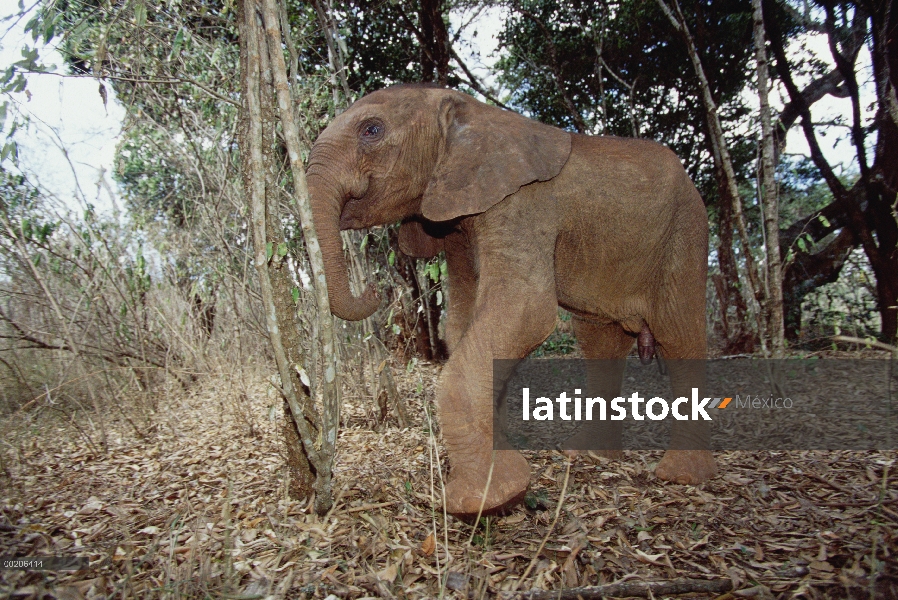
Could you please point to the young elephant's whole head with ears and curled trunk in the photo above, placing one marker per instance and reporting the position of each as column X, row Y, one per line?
column 419, row 155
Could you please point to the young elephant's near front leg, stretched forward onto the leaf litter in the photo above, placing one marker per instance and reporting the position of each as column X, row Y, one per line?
column 509, row 321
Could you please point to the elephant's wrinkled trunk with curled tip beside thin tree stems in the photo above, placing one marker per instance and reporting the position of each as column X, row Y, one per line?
column 326, row 207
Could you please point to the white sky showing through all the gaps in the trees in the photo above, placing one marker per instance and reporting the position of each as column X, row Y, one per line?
column 70, row 142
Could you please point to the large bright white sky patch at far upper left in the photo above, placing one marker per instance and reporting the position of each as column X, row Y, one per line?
column 70, row 142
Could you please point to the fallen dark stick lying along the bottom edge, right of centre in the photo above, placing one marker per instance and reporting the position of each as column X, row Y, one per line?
column 644, row 589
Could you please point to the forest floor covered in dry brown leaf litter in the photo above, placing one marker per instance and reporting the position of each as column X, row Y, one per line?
column 195, row 506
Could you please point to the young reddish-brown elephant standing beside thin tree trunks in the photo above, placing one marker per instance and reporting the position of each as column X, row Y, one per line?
column 530, row 217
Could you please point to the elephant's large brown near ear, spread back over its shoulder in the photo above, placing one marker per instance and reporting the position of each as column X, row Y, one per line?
column 488, row 154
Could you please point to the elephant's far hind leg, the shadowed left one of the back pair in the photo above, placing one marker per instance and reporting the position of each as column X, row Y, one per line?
column 606, row 346
